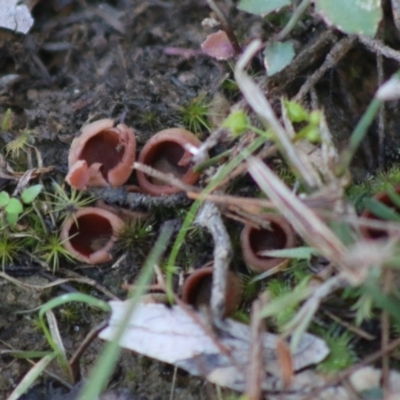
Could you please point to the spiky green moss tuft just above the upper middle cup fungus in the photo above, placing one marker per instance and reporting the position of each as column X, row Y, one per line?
column 194, row 114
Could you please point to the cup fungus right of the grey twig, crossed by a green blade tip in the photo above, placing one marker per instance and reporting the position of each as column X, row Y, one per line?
column 255, row 241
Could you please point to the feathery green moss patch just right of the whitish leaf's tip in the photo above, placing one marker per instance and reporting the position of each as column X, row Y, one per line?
column 342, row 354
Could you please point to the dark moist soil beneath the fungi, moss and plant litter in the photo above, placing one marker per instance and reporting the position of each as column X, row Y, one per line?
column 139, row 62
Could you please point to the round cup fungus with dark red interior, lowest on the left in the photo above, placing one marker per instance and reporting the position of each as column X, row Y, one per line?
column 90, row 233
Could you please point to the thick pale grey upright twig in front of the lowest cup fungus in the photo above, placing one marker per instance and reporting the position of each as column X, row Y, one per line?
column 209, row 217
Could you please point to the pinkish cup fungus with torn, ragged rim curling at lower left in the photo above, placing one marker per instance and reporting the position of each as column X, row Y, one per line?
column 103, row 155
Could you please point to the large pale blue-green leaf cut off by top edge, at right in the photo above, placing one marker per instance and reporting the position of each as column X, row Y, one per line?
column 354, row 16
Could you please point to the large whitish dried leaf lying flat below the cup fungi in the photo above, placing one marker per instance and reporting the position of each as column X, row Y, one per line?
column 171, row 335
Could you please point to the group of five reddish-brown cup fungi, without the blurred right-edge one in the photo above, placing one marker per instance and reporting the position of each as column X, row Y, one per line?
column 103, row 156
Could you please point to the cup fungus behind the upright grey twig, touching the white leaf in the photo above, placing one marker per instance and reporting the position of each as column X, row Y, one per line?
column 196, row 289
